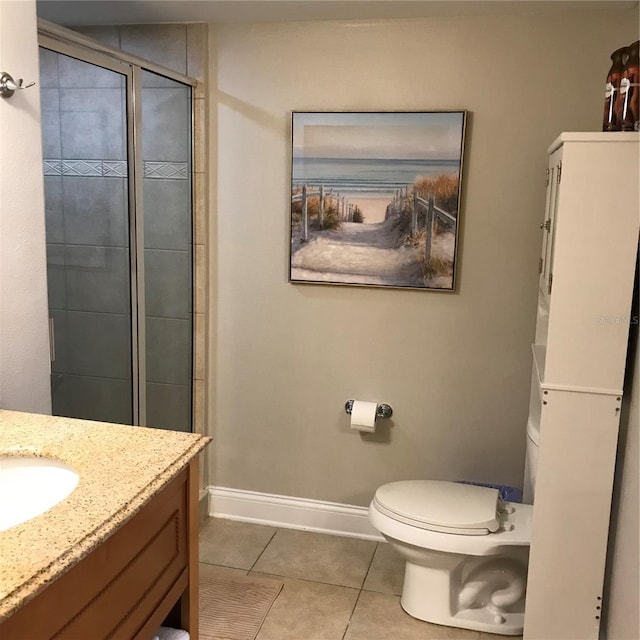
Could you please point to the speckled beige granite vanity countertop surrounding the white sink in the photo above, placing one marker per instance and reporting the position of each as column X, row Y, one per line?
column 120, row 467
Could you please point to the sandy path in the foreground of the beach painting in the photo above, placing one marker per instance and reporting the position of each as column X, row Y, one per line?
column 358, row 254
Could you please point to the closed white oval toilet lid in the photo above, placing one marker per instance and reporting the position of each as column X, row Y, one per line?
column 443, row 506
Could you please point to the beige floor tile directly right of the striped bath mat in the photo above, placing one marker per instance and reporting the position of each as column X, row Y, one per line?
column 308, row 611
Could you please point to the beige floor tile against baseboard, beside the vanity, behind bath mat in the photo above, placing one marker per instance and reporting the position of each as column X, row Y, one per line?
column 233, row 544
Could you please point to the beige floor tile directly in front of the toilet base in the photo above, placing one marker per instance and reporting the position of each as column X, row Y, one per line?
column 379, row 616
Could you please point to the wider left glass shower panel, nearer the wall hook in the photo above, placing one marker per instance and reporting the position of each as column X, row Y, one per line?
column 85, row 149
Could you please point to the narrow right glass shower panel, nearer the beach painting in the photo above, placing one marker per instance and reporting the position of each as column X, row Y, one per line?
column 167, row 222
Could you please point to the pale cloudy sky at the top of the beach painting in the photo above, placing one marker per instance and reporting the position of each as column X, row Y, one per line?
column 398, row 135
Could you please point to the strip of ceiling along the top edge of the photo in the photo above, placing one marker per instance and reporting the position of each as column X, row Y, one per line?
column 85, row 12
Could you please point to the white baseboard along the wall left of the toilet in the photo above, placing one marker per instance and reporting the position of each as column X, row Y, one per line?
column 291, row 513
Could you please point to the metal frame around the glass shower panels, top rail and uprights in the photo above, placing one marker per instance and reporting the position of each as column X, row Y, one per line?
column 75, row 45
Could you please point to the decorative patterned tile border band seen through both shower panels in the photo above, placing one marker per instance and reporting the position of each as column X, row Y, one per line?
column 114, row 169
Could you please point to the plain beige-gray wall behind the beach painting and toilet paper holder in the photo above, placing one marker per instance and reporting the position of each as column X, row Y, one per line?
column 455, row 367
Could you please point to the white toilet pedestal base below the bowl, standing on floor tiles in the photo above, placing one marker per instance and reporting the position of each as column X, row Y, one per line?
column 428, row 595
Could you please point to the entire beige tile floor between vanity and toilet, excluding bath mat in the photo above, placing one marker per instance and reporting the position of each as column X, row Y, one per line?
column 335, row 588
